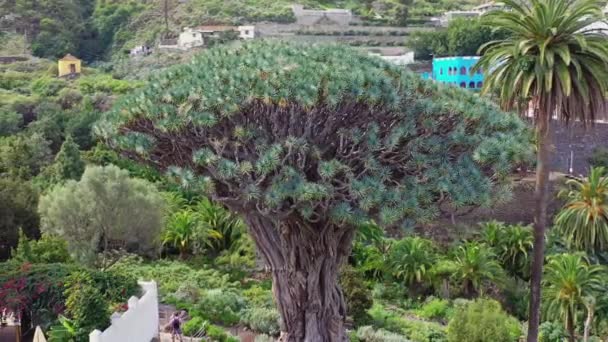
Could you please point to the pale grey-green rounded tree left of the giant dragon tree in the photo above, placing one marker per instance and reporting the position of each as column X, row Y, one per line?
column 105, row 210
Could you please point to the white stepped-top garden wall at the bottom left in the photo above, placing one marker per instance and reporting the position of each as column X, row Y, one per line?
column 138, row 324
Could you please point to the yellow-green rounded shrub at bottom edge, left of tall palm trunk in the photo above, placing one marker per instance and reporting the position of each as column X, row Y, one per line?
column 483, row 320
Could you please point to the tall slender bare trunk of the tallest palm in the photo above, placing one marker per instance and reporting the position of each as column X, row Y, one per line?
column 541, row 196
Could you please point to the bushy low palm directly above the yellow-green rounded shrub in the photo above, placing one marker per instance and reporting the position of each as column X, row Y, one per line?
column 475, row 267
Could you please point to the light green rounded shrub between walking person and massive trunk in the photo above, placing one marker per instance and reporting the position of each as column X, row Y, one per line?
column 222, row 306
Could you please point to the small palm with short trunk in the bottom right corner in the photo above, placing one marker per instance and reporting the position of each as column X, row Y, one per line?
column 569, row 280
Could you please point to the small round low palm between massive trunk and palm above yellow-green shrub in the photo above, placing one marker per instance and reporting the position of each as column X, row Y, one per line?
column 410, row 260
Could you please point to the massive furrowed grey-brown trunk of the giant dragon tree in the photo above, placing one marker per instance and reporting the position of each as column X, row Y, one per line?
column 304, row 261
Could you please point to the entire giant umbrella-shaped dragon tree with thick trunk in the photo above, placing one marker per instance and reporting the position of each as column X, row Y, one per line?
column 307, row 143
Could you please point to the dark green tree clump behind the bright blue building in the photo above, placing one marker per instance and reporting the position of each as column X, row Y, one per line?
column 462, row 37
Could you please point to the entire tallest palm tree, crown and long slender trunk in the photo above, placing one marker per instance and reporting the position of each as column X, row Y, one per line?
column 551, row 62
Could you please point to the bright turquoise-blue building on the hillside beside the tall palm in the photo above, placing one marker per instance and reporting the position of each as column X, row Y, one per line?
column 456, row 71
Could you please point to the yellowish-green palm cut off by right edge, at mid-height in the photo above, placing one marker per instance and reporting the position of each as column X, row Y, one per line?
column 583, row 220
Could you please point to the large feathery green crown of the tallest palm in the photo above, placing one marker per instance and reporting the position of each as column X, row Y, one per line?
column 549, row 55
